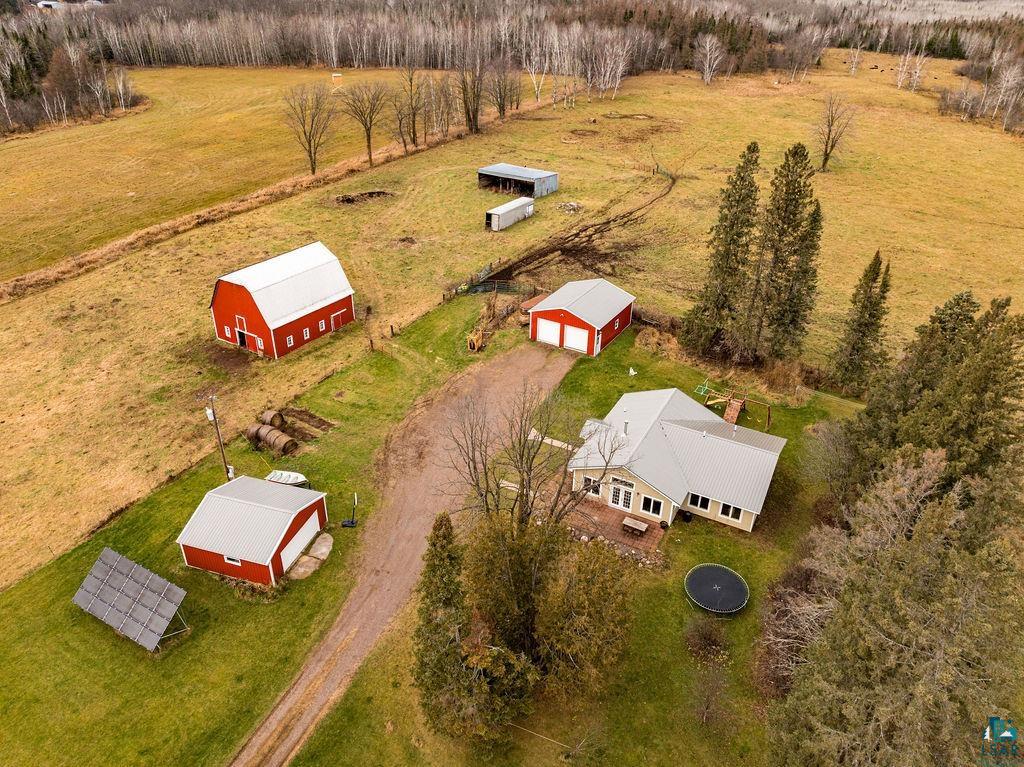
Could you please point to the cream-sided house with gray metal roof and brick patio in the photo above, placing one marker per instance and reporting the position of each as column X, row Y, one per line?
column 671, row 454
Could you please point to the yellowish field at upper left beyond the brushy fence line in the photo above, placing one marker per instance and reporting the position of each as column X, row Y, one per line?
column 207, row 136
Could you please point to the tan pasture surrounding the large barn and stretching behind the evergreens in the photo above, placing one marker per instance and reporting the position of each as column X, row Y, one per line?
column 102, row 400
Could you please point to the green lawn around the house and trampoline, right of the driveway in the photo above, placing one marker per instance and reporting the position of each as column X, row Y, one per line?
column 648, row 715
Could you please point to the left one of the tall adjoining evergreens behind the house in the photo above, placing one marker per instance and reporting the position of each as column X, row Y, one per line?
column 713, row 320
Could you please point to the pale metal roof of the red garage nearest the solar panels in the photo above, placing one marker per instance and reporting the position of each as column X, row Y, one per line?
column 246, row 519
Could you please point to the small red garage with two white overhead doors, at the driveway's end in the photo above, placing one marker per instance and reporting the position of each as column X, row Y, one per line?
column 583, row 316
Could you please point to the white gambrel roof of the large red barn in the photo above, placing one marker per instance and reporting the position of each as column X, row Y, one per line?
column 294, row 284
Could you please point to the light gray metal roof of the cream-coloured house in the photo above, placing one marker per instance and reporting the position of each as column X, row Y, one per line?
column 679, row 447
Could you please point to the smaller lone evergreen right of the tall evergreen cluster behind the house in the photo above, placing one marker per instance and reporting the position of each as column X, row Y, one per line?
column 861, row 353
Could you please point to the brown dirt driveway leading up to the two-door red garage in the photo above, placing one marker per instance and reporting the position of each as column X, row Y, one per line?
column 417, row 487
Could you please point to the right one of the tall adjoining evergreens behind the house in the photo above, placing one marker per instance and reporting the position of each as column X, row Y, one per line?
column 785, row 269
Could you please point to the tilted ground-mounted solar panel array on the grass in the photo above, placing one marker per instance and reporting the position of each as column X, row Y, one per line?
column 133, row 601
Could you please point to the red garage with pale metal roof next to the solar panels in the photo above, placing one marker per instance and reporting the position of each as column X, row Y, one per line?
column 252, row 530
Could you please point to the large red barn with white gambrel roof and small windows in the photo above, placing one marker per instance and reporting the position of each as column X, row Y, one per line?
column 278, row 306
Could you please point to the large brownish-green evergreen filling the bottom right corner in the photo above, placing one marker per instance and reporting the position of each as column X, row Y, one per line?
column 910, row 679
